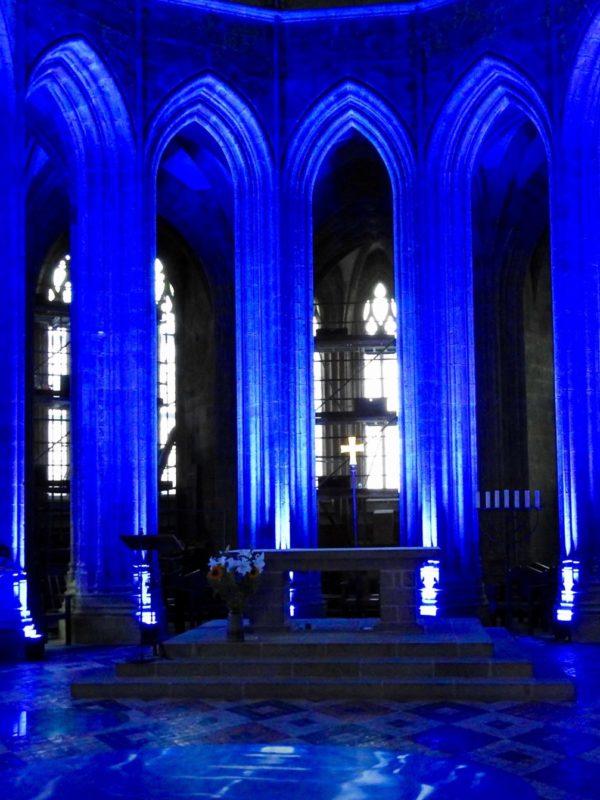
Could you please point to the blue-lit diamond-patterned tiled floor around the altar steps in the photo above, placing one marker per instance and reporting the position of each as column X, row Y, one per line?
column 553, row 747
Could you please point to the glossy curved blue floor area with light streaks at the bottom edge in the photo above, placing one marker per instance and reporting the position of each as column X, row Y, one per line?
column 242, row 772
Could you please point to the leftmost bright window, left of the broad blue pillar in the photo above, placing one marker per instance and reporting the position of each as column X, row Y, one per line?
column 52, row 378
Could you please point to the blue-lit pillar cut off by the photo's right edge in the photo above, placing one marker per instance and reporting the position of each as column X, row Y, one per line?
column 576, row 298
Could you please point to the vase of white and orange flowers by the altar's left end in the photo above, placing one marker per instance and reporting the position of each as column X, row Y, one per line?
column 234, row 576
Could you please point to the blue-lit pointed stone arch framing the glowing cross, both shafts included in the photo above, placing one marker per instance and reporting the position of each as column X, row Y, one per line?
column 347, row 107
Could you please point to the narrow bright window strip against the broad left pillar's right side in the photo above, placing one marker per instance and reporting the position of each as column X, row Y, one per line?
column 167, row 391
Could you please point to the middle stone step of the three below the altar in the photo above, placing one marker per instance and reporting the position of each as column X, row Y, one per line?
column 354, row 667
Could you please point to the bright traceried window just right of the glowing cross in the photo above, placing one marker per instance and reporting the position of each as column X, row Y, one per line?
column 380, row 376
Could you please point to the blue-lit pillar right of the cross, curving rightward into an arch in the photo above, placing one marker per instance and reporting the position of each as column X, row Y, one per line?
column 449, row 412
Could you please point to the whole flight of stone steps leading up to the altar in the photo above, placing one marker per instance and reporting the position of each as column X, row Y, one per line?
column 456, row 659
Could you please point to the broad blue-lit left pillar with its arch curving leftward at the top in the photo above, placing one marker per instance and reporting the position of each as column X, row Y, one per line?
column 113, row 479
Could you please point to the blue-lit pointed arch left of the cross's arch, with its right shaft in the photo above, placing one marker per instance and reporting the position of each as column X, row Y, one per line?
column 233, row 126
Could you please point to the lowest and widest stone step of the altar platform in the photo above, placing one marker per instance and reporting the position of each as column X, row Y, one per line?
column 400, row 689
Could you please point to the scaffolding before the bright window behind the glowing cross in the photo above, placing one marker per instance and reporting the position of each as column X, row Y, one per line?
column 356, row 394
